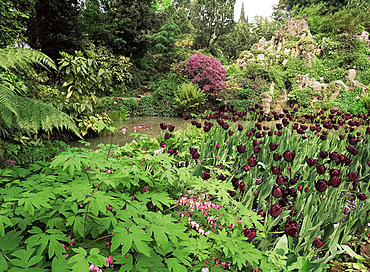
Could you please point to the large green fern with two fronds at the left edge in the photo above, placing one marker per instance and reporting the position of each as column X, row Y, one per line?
column 21, row 112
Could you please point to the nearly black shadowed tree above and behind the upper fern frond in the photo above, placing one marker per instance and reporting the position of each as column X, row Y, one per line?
column 54, row 27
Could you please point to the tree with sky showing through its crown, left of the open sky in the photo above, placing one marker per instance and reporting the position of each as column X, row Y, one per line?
column 211, row 19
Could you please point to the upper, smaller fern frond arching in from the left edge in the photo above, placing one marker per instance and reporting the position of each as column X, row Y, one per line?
column 17, row 57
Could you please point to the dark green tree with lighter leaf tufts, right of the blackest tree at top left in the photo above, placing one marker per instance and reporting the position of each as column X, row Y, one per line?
column 131, row 22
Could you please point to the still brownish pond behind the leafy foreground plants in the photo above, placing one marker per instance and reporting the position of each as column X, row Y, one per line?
column 148, row 125
